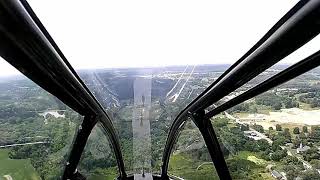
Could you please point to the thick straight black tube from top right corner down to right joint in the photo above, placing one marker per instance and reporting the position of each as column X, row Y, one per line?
column 300, row 28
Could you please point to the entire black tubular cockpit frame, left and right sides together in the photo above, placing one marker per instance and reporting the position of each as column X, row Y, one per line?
column 26, row 44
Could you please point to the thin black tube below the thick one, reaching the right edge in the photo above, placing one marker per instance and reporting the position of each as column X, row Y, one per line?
column 293, row 71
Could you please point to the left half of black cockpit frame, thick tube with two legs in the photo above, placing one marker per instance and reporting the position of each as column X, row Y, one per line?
column 27, row 46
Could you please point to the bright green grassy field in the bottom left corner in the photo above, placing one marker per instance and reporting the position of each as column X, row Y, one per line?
column 18, row 169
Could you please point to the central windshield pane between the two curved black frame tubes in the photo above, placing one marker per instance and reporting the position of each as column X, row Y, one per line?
column 145, row 61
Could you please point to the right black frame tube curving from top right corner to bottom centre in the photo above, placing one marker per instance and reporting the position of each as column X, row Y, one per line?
column 296, row 28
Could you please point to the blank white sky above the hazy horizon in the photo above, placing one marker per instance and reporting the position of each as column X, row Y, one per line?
column 139, row 33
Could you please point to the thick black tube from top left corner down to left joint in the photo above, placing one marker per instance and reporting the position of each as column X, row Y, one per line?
column 25, row 47
